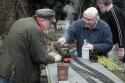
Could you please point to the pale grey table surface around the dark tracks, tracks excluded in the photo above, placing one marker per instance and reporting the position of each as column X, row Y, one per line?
column 74, row 77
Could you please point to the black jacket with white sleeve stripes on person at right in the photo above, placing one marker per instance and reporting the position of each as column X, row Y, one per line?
column 116, row 21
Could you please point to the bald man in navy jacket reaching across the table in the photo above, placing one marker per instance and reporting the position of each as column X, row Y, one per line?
column 93, row 29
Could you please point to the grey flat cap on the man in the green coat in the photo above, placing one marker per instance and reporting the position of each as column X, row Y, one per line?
column 46, row 13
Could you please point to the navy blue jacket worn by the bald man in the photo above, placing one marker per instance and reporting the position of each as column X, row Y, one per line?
column 100, row 36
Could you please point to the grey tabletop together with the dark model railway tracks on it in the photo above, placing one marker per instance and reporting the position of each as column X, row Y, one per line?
column 88, row 72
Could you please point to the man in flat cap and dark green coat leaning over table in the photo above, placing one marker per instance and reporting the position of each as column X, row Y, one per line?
column 24, row 48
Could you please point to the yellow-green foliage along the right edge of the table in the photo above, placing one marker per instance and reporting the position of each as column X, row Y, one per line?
column 114, row 66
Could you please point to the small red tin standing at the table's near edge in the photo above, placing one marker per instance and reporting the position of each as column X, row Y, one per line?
column 62, row 72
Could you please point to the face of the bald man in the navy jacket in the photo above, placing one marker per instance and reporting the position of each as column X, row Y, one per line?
column 90, row 20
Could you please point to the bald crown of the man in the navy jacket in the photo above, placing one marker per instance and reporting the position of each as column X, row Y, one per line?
column 92, row 12
